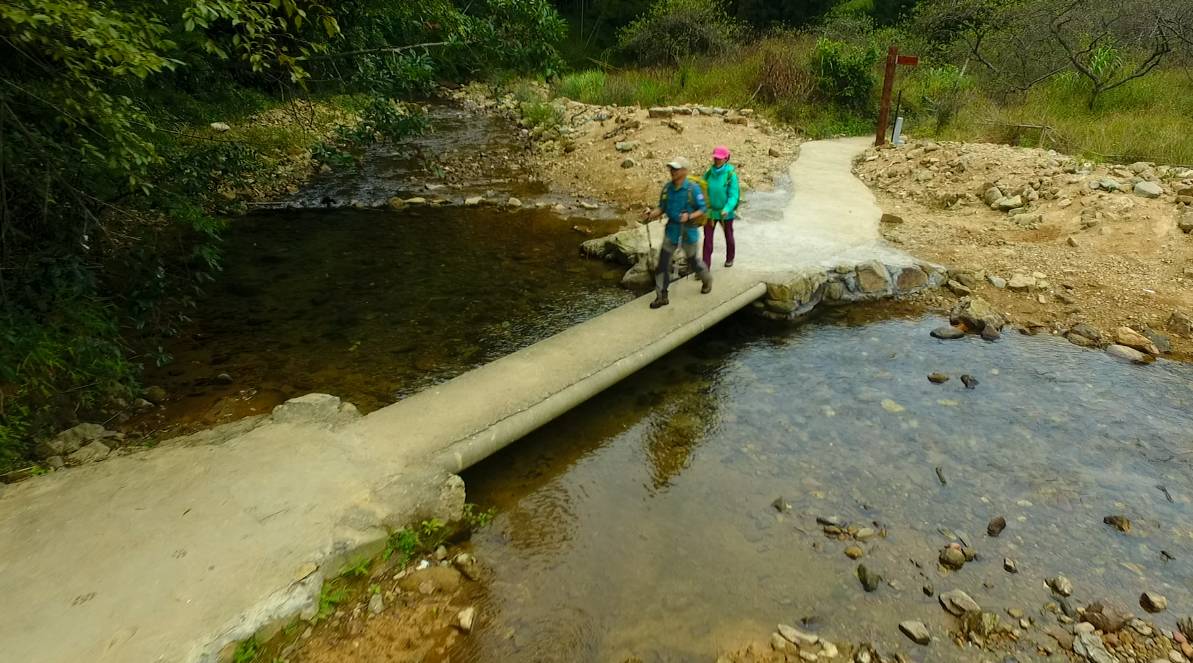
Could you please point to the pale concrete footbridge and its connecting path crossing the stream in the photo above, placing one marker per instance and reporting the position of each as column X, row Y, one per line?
column 175, row 554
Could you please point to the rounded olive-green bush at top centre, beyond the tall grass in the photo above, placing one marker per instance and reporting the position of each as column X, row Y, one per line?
column 676, row 30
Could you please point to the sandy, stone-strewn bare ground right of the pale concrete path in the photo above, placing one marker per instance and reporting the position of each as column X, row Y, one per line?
column 1104, row 258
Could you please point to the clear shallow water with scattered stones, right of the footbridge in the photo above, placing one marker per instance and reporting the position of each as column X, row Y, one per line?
column 641, row 524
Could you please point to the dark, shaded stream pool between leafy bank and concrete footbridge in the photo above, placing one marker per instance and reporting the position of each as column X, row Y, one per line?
column 374, row 306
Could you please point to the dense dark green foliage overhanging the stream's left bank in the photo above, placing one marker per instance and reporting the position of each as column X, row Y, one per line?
column 110, row 199
